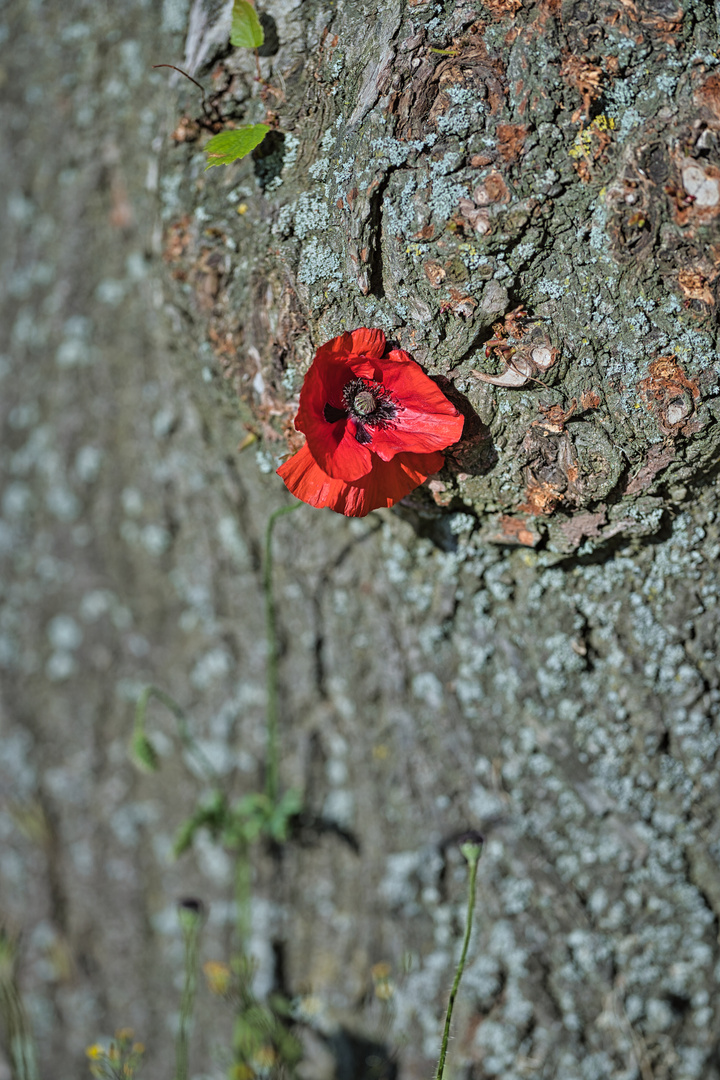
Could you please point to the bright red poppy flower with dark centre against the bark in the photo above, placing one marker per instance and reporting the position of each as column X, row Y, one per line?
column 375, row 427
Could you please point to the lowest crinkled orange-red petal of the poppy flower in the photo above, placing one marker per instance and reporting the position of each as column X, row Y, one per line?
column 387, row 483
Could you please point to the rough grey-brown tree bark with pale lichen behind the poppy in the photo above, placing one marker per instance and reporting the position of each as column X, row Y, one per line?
column 527, row 649
